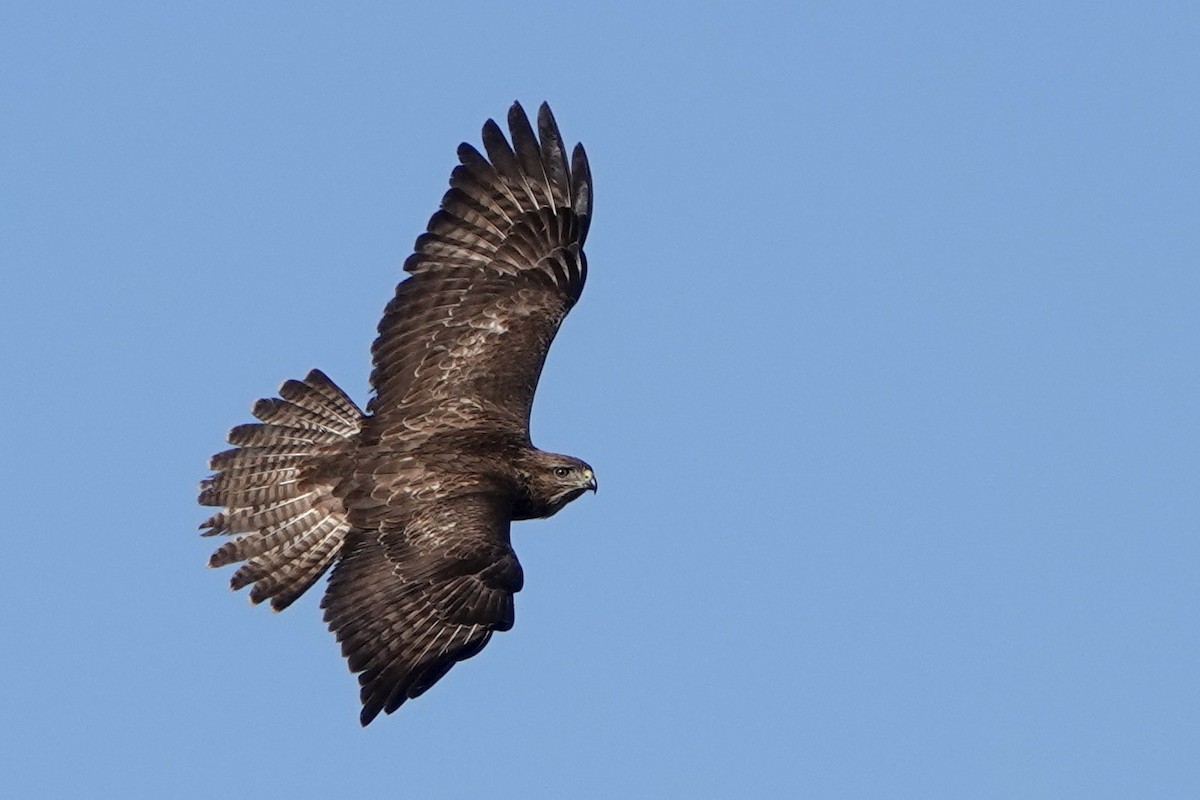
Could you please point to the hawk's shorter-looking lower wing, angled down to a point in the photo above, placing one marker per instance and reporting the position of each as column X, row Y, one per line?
column 411, row 601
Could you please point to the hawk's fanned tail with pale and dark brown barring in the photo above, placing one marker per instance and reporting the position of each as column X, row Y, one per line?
column 278, row 501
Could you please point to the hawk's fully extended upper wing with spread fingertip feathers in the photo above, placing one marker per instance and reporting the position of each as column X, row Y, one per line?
column 493, row 279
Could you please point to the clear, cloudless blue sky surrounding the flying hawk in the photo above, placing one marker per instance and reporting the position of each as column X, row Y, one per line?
column 889, row 365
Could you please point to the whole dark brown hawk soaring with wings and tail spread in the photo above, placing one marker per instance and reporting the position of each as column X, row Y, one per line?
column 411, row 502
